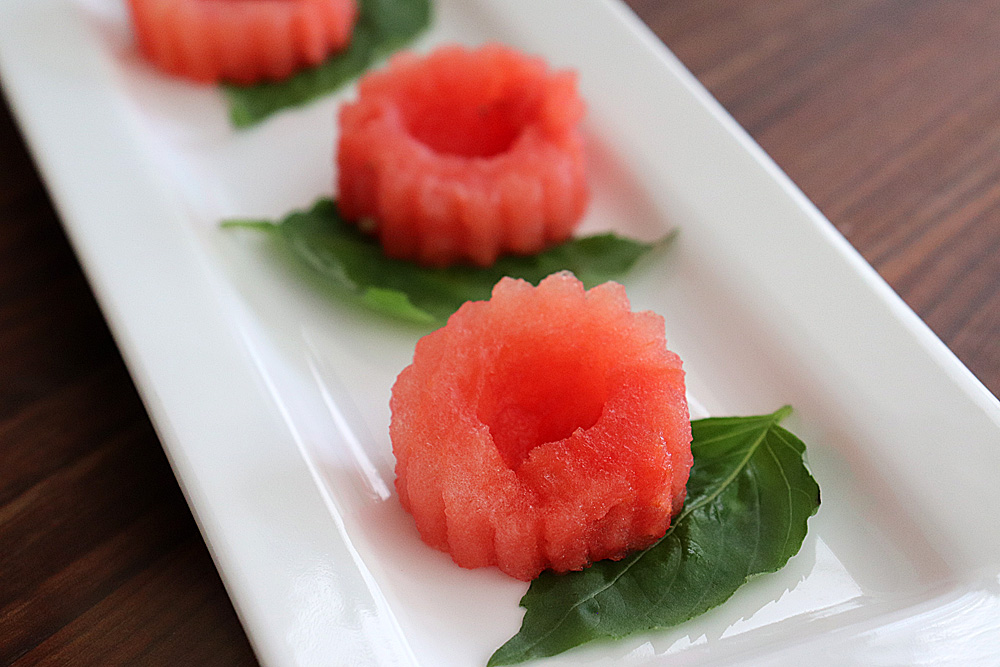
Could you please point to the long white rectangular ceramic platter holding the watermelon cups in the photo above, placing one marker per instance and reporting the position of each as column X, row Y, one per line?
column 272, row 401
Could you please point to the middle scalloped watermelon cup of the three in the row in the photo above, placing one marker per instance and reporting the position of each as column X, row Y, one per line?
column 463, row 155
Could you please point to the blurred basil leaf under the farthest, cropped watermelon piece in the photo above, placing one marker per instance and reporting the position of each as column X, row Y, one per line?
column 383, row 26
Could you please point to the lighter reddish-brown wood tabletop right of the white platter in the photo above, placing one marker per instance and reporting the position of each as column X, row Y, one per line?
column 887, row 115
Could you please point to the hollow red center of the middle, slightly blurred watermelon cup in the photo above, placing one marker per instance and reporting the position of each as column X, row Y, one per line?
column 466, row 120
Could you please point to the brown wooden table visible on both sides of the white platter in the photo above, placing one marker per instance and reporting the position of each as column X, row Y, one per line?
column 886, row 113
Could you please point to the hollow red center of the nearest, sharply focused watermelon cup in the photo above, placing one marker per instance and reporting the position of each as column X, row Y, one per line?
column 539, row 395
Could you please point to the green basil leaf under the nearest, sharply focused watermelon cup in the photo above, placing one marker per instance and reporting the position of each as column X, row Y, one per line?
column 749, row 496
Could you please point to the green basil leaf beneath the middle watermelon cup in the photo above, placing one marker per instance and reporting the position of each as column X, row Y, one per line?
column 353, row 261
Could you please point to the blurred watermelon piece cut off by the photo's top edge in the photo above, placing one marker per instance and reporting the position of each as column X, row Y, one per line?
column 240, row 41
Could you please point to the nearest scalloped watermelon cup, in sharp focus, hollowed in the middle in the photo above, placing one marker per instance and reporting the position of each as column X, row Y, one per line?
column 545, row 428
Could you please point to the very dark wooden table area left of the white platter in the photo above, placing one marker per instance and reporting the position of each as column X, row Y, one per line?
column 100, row 560
